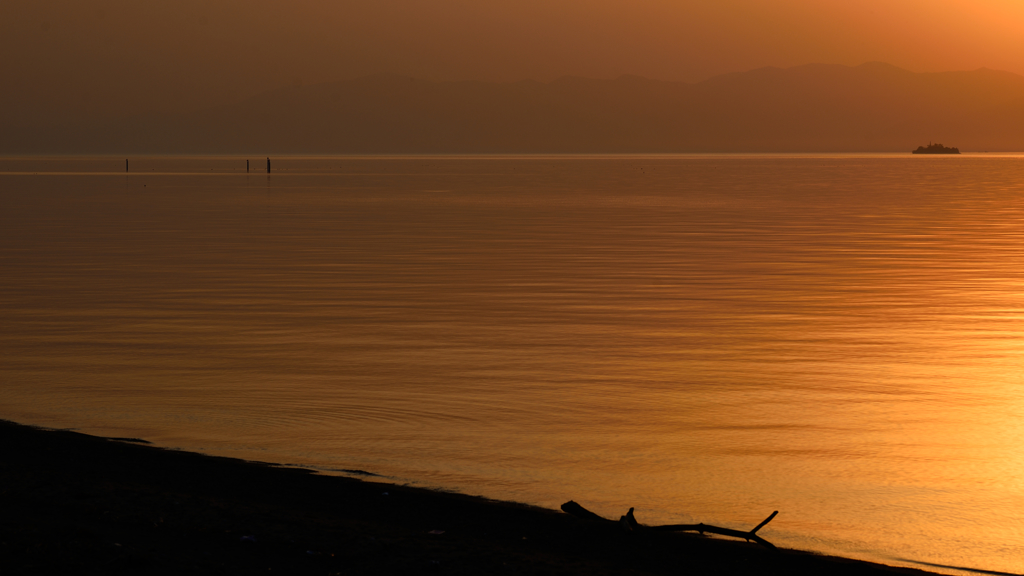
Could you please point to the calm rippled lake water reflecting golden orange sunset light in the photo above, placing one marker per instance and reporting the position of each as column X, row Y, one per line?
column 707, row 339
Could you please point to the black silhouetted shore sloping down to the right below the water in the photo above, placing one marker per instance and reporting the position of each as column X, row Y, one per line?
column 84, row 505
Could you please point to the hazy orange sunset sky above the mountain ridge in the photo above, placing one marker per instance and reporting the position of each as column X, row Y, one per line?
column 84, row 59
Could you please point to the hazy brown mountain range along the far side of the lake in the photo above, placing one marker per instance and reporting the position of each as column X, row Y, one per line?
column 815, row 108
